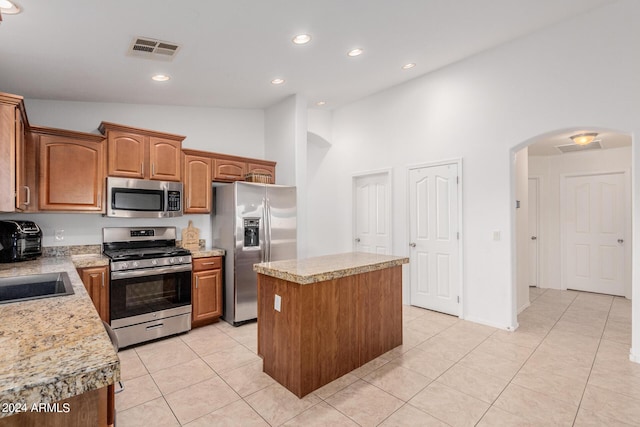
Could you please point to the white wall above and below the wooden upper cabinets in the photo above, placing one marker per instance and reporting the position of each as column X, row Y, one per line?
column 230, row 131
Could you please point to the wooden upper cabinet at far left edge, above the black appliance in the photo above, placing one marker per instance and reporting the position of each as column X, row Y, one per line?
column 14, row 193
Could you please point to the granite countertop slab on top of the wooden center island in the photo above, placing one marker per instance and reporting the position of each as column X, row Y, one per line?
column 318, row 269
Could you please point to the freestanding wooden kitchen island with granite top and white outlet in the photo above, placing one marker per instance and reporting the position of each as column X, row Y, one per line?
column 320, row 318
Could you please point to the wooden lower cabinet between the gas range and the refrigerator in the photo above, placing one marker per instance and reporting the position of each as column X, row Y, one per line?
column 206, row 291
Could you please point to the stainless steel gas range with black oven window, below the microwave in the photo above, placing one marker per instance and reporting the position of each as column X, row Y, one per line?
column 150, row 286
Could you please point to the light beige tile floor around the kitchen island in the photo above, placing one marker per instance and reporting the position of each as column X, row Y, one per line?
column 567, row 364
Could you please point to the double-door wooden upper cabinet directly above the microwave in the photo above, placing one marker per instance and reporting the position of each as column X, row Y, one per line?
column 141, row 153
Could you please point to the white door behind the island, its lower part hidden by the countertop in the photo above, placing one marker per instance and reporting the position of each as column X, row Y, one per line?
column 372, row 213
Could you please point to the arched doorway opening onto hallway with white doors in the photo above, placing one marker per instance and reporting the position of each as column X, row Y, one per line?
column 574, row 188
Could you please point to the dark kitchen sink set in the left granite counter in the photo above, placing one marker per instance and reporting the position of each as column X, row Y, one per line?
column 24, row 288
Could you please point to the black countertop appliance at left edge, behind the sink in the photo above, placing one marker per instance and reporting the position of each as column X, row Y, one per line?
column 19, row 241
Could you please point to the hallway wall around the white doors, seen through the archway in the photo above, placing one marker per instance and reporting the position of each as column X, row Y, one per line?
column 550, row 169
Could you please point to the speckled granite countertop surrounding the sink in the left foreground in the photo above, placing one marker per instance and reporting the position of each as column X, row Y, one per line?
column 52, row 348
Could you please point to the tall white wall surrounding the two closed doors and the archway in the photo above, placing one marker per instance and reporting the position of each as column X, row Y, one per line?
column 481, row 110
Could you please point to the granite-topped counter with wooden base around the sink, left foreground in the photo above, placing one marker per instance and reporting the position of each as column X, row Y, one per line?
column 56, row 359
